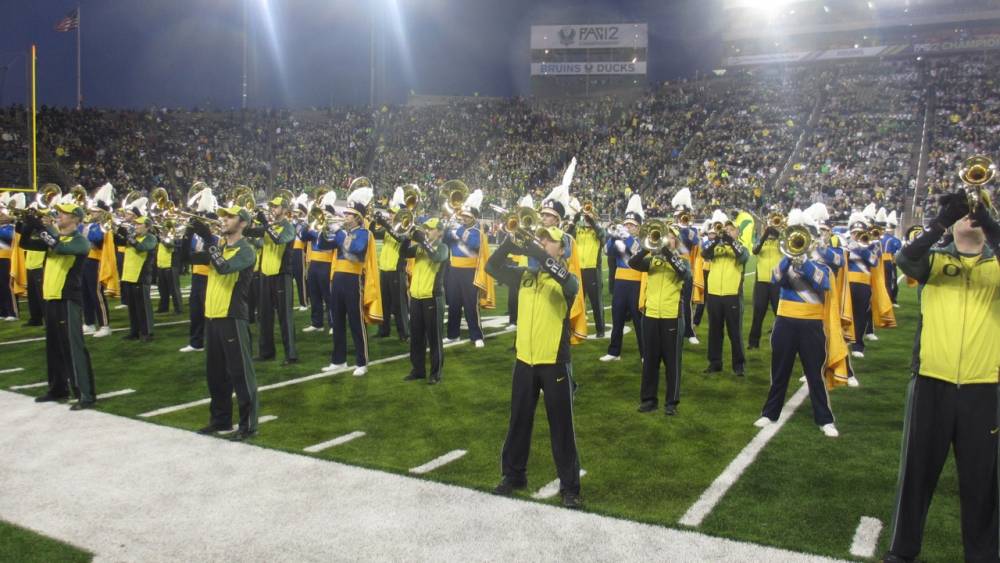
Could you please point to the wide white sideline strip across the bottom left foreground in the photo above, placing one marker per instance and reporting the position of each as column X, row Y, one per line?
column 193, row 483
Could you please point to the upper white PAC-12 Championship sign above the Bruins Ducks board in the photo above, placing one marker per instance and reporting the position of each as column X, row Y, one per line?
column 589, row 36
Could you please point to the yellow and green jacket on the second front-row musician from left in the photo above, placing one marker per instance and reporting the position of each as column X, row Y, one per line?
column 230, row 270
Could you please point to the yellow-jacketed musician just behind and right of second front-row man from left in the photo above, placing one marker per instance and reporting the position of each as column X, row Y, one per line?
column 276, row 285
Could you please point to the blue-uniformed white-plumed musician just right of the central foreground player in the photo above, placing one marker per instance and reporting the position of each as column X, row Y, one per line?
column 622, row 244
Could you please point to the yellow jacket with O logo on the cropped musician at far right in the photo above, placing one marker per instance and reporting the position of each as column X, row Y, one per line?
column 959, row 315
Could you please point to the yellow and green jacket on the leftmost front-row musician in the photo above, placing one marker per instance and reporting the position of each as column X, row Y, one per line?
column 64, row 259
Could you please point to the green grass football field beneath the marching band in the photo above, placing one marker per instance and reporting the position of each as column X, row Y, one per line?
column 803, row 492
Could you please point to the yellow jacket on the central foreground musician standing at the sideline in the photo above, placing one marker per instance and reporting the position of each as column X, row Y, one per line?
column 543, row 306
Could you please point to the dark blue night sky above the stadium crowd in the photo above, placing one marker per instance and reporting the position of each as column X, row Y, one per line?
column 185, row 53
